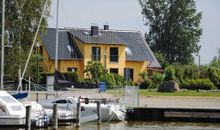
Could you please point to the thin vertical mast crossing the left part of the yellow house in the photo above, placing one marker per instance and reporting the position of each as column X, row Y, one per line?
column 57, row 37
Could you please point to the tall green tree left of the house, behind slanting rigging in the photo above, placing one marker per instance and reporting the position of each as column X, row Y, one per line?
column 21, row 21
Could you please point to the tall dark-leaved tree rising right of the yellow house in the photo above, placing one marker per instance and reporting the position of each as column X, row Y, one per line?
column 174, row 28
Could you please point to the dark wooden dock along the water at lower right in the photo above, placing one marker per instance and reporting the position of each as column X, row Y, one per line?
column 211, row 115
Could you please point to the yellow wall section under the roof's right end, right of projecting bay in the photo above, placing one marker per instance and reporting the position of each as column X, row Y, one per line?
column 138, row 67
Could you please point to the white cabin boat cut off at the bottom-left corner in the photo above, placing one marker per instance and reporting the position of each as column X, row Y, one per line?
column 11, row 110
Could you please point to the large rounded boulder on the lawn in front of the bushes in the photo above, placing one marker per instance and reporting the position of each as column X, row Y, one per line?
column 169, row 86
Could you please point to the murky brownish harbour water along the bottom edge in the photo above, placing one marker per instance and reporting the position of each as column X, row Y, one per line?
column 143, row 126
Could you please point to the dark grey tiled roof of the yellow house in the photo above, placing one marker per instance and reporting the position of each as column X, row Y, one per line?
column 137, row 48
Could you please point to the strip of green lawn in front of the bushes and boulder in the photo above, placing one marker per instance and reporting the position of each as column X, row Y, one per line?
column 189, row 93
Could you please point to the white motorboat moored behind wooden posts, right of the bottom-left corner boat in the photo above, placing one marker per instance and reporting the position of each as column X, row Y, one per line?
column 109, row 112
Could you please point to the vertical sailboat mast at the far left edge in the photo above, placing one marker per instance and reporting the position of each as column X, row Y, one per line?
column 3, row 46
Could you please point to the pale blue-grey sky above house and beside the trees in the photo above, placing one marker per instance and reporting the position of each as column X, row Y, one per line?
column 126, row 15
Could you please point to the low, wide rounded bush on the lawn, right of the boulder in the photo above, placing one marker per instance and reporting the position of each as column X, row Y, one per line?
column 195, row 84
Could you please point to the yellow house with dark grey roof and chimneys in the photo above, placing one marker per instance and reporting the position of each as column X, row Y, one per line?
column 122, row 52
